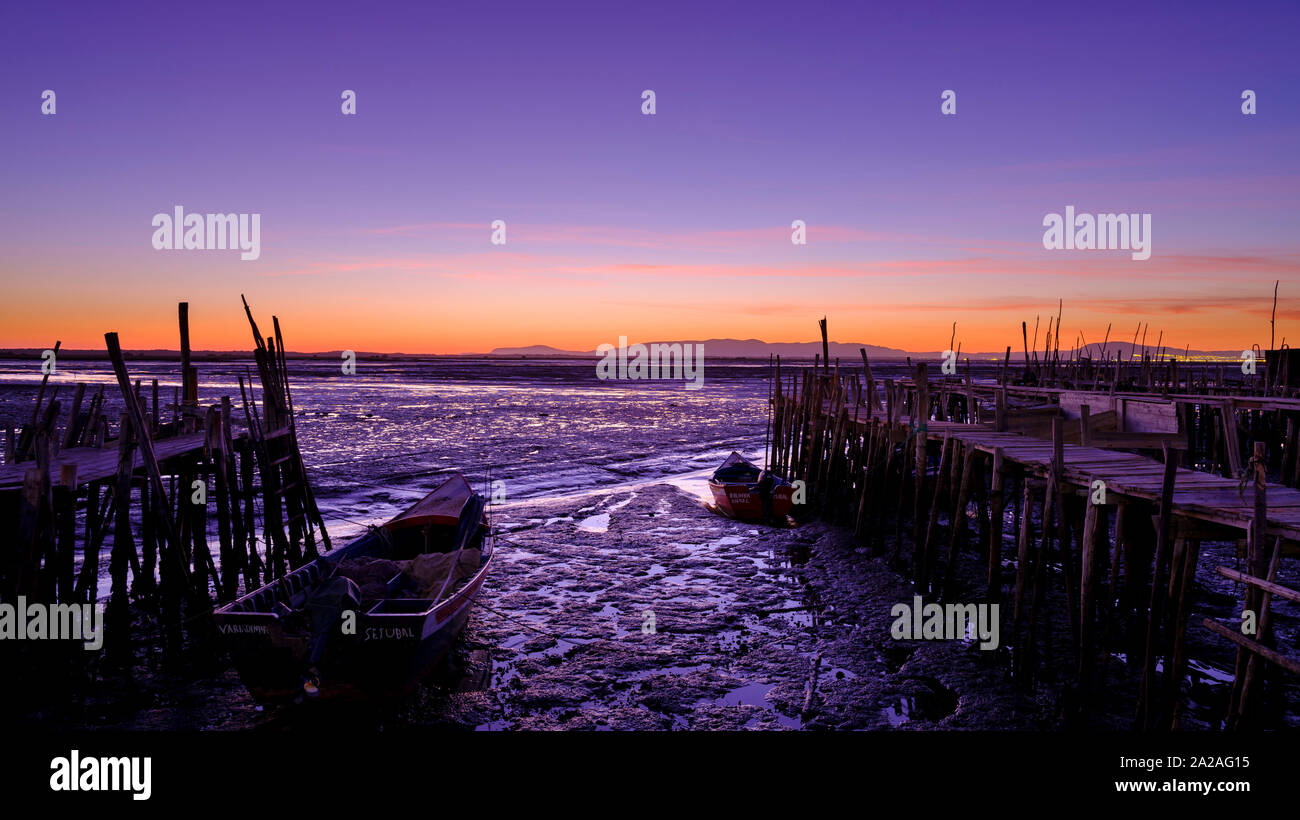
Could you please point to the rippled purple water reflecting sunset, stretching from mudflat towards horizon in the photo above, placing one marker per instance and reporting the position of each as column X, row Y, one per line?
column 378, row 441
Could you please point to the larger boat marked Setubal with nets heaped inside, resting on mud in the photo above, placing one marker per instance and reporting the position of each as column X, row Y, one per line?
column 372, row 618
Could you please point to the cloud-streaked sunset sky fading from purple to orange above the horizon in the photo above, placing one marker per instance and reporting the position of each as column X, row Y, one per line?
column 375, row 228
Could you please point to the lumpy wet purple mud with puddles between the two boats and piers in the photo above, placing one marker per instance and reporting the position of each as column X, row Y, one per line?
column 645, row 610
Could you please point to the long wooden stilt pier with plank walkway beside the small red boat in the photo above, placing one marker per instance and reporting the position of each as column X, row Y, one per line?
column 928, row 471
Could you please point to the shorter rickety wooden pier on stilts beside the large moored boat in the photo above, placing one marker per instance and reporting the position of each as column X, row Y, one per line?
column 162, row 487
